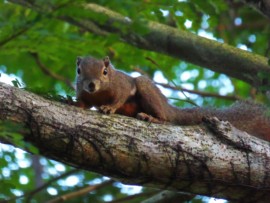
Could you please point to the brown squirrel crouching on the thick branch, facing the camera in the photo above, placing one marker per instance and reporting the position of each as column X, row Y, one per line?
column 100, row 85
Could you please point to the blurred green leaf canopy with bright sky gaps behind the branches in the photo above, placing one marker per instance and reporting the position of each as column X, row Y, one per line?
column 40, row 48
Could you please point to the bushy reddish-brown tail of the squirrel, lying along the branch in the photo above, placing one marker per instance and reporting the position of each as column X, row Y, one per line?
column 245, row 115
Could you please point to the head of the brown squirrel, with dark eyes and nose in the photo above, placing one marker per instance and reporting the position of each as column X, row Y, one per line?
column 93, row 75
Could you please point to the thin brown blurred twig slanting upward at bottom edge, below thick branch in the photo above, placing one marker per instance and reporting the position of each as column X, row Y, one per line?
column 80, row 192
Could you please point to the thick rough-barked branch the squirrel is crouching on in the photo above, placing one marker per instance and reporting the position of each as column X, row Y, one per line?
column 227, row 164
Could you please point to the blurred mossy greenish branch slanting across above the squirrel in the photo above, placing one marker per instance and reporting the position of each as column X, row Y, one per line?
column 161, row 38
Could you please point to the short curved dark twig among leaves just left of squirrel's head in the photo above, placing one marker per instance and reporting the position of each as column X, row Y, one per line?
column 46, row 71
